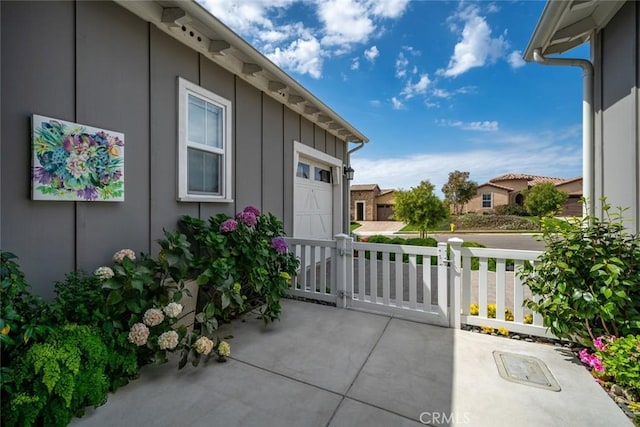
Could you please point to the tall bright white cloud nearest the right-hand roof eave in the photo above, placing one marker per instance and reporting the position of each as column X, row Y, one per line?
column 476, row 46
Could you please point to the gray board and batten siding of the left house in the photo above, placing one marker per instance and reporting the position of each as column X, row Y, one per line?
column 97, row 64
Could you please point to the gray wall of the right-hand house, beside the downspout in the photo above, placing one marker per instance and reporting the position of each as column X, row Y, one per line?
column 616, row 58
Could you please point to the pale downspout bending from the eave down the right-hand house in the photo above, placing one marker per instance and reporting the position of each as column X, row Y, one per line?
column 587, row 123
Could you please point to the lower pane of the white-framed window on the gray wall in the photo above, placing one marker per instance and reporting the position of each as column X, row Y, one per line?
column 204, row 175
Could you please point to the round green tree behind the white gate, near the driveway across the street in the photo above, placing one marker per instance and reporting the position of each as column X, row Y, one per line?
column 419, row 207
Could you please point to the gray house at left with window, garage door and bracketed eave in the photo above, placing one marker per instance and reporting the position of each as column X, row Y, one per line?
column 150, row 70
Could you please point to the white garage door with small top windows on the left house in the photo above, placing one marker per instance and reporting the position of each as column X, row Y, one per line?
column 313, row 201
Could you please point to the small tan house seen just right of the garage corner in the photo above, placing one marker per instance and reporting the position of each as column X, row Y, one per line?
column 370, row 203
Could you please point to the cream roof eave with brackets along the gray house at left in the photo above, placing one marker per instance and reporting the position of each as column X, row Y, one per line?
column 153, row 12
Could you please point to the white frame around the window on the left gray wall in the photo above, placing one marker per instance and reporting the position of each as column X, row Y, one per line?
column 185, row 88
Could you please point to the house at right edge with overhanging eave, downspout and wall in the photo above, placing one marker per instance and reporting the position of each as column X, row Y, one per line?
column 611, row 98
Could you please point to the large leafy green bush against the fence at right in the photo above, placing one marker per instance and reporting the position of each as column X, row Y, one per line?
column 587, row 278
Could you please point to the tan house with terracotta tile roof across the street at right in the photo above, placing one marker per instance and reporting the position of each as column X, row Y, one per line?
column 509, row 190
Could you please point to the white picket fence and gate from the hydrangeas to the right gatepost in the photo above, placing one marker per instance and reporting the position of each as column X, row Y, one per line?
column 404, row 281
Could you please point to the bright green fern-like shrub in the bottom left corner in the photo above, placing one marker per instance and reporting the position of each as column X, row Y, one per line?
column 56, row 379
